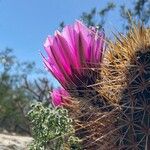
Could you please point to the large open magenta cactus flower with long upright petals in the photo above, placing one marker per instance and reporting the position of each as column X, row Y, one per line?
column 72, row 53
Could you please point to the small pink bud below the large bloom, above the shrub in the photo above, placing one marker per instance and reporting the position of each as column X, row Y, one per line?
column 59, row 97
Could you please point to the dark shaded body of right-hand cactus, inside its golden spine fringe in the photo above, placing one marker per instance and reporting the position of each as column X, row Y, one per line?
column 135, row 103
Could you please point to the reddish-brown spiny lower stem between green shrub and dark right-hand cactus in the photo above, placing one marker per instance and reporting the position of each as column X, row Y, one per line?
column 94, row 127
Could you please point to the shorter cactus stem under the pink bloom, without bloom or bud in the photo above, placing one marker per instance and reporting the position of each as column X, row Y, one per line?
column 93, row 117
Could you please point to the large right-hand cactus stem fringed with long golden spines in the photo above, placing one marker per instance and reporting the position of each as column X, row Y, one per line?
column 126, row 78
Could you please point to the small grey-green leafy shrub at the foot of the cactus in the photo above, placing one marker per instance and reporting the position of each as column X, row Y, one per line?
column 52, row 129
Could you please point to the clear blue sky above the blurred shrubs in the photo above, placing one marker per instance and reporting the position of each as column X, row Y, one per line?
column 25, row 24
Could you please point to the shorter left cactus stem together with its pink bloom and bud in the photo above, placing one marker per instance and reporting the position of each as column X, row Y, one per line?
column 74, row 57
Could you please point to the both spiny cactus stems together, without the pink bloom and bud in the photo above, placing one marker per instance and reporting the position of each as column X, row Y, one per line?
column 125, row 90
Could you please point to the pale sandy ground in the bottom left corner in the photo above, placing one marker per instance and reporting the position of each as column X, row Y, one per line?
column 13, row 142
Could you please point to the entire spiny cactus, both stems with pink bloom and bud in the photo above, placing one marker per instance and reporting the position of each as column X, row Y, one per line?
column 116, row 114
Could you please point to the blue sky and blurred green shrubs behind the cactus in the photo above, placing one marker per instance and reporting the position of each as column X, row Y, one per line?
column 24, row 26
